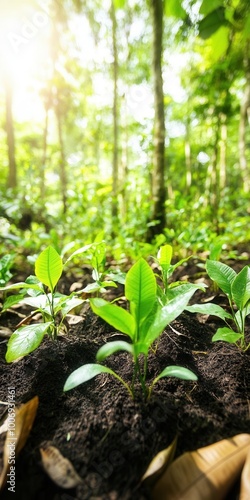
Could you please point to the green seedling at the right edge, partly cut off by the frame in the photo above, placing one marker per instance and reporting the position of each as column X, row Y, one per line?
column 236, row 287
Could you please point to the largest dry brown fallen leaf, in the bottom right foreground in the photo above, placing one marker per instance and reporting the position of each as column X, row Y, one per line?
column 205, row 474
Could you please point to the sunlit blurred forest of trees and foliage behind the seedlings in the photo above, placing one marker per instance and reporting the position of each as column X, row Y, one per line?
column 129, row 119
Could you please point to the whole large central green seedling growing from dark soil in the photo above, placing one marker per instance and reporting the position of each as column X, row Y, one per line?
column 143, row 324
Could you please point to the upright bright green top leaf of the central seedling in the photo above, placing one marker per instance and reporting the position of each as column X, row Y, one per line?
column 140, row 290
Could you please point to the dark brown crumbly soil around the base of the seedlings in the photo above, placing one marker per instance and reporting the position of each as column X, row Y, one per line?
column 109, row 438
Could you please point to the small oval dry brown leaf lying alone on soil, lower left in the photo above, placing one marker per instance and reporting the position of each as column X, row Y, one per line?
column 59, row 468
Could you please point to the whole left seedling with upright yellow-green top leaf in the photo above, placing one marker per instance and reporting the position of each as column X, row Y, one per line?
column 40, row 293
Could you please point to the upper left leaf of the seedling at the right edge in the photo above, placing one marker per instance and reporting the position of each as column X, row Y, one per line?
column 222, row 274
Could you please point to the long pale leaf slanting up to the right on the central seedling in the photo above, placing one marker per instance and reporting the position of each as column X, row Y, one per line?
column 166, row 315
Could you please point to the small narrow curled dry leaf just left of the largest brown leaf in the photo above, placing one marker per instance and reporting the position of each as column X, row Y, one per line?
column 159, row 463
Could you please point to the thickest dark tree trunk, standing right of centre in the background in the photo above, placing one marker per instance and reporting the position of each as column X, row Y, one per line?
column 159, row 190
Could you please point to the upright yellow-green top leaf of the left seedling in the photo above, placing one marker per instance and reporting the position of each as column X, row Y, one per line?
column 48, row 267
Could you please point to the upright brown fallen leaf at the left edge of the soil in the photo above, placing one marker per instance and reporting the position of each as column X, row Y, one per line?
column 17, row 435
